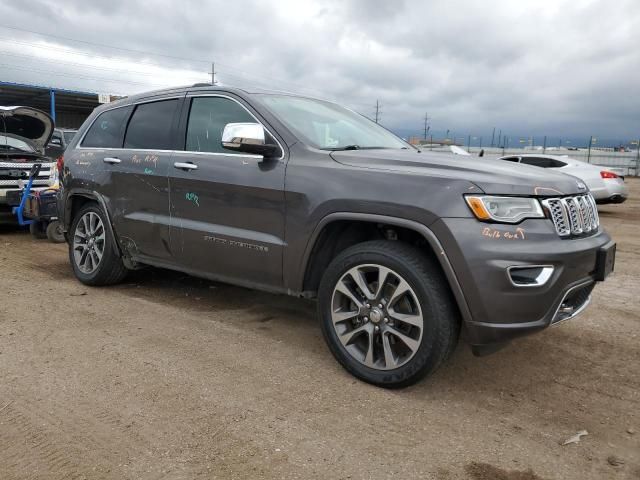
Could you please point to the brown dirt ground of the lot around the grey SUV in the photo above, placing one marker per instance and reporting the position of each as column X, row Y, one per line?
column 171, row 377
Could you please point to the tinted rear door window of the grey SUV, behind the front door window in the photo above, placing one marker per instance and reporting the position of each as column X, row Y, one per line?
column 150, row 126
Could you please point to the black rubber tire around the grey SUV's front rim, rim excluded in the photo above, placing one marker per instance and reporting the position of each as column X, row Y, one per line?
column 441, row 319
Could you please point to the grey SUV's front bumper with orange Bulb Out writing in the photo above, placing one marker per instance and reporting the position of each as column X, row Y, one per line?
column 481, row 255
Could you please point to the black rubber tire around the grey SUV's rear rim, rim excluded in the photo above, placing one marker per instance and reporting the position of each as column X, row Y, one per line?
column 110, row 269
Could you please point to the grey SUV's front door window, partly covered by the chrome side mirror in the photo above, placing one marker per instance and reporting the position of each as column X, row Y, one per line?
column 207, row 119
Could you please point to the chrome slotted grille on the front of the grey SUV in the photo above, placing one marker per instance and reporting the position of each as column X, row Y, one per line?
column 575, row 215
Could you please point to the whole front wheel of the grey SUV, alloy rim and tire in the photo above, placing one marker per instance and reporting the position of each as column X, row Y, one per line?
column 387, row 313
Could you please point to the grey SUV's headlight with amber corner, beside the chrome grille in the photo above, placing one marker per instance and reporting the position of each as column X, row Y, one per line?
column 504, row 209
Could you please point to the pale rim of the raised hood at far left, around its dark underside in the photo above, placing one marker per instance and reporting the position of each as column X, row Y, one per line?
column 27, row 122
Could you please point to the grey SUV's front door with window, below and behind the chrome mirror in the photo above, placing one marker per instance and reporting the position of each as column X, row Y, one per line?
column 227, row 208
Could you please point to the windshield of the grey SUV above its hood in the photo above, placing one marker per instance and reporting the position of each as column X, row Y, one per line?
column 328, row 126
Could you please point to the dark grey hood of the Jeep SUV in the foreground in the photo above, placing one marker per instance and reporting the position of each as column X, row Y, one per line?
column 497, row 177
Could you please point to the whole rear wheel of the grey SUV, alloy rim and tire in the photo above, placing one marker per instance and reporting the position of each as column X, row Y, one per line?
column 92, row 250
